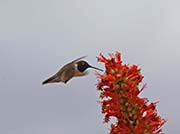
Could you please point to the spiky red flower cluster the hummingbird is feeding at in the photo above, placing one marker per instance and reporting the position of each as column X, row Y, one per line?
column 119, row 98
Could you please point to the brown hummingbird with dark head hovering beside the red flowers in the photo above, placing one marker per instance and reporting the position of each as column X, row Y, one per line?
column 73, row 69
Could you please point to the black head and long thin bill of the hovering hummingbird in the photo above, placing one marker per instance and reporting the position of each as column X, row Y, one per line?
column 83, row 65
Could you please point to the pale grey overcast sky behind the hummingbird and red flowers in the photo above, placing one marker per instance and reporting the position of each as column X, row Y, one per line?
column 37, row 37
